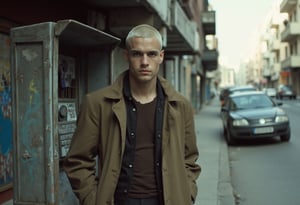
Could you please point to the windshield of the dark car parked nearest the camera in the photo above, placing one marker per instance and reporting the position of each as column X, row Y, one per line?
column 251, row 102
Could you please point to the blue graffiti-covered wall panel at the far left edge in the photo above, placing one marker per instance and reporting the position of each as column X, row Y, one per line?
column 6, row 164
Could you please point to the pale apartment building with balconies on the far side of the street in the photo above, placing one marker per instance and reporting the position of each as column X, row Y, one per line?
column 277, row 57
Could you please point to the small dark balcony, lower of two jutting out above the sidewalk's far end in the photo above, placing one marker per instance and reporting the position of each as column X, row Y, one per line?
column 210, row 59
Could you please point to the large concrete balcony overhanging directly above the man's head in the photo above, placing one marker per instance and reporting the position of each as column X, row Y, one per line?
column 180, row 35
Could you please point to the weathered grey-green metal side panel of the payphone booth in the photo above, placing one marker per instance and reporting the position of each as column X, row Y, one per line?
column 35, row 158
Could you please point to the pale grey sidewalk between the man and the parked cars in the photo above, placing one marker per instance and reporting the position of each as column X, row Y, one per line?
column 214, row 187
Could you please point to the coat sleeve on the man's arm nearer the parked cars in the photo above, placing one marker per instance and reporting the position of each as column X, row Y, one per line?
column 191, row 151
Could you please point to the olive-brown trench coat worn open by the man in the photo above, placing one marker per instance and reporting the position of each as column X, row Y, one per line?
column 101, row 131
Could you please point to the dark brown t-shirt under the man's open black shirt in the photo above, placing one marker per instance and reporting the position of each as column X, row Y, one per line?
column 144, row 182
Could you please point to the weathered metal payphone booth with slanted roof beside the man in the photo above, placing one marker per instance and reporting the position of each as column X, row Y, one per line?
column 53, row 65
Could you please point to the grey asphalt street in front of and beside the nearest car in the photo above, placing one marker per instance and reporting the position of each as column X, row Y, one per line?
column 267, row 172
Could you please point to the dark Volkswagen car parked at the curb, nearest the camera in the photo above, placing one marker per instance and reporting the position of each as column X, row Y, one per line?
column 249, row 115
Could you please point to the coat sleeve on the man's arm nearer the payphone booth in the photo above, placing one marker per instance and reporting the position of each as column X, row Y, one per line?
column 80, row 163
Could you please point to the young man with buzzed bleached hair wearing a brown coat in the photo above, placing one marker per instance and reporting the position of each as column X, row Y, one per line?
column 142, row 132
